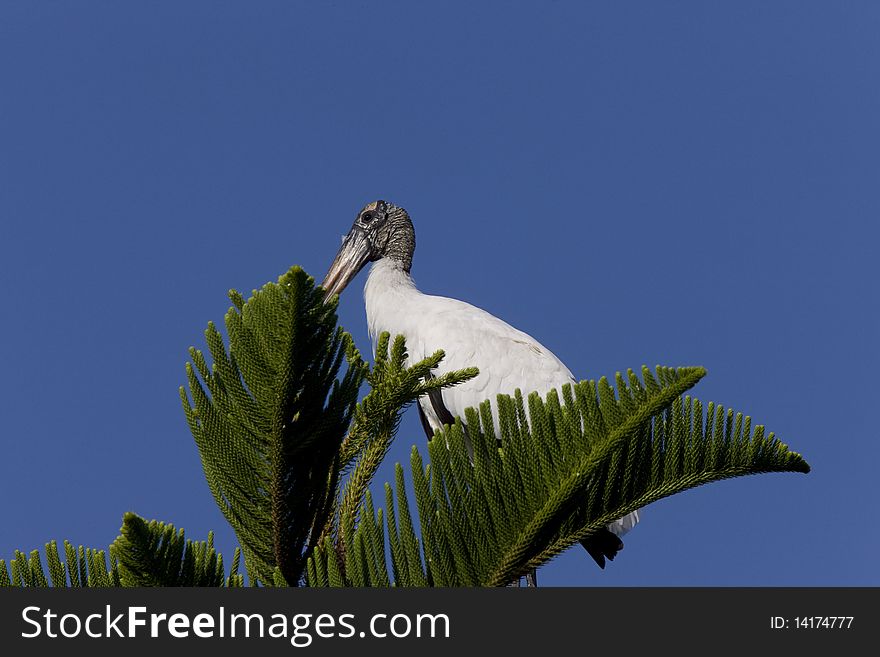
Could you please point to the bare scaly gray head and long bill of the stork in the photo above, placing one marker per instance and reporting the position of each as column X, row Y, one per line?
column 381, row 230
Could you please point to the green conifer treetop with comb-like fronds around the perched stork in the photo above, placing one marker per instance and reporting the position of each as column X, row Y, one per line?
column 289, row 454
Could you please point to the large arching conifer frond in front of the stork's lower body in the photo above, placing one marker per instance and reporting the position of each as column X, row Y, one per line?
column 562, row 470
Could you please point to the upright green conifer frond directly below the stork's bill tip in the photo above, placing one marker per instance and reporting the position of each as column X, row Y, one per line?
column 269, row 416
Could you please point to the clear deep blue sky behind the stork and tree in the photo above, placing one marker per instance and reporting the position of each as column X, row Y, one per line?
column 631, row 183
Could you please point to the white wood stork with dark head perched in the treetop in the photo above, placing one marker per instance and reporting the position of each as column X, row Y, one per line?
column 506, row 357
